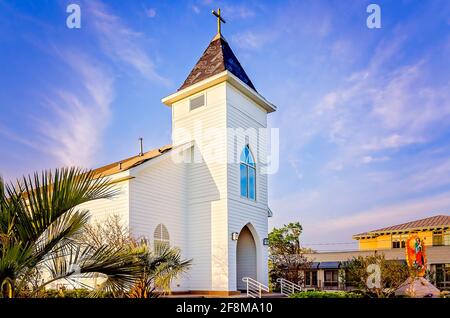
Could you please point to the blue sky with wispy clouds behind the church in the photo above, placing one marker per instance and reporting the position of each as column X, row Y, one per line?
column 363, row 113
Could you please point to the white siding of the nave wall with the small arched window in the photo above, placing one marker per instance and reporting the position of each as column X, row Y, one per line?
column 158, row 195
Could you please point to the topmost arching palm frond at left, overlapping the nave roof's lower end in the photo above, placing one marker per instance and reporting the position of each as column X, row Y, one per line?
column 47, row 196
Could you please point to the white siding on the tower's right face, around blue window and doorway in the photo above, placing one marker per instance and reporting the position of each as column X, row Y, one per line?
column 242, row 113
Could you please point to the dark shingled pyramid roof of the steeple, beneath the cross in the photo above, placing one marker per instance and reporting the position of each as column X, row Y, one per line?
column 218, row 57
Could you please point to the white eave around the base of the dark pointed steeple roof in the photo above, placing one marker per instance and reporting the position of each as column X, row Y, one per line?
column 224, row 76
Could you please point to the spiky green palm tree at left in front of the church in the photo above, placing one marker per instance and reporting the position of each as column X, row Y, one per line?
column 40, row 220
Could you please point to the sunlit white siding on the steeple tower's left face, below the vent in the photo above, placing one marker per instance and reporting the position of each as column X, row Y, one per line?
column 207, row 187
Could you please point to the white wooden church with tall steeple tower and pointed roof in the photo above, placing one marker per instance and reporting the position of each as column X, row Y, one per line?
column 206, row 192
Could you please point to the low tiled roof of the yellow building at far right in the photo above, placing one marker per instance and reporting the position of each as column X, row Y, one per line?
column 431, row 222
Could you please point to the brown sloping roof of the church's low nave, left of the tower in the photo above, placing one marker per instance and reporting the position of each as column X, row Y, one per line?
column 130, row 162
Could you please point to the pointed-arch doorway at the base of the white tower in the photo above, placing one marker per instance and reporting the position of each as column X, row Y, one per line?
column 245, row 257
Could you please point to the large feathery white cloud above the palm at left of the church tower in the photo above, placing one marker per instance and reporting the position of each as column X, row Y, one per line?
column 73, row 128
